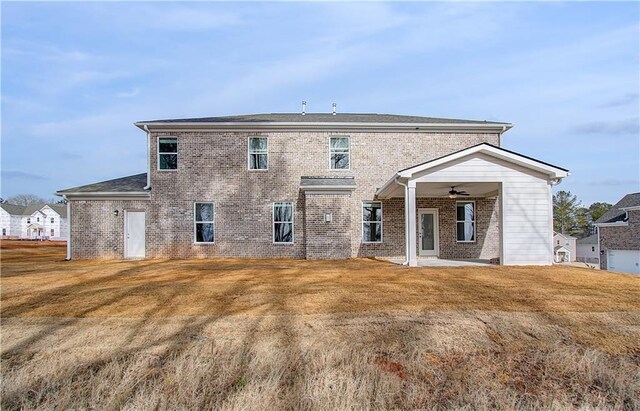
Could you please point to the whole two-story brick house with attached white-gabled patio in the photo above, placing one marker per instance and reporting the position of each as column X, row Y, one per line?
column 322, row 186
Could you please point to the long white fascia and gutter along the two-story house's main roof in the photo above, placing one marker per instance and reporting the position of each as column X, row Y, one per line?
column 268, row 125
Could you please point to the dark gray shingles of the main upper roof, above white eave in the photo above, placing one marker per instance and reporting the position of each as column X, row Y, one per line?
column 325, row 118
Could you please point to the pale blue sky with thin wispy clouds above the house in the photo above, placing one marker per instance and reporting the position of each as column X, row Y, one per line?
column 75, row 76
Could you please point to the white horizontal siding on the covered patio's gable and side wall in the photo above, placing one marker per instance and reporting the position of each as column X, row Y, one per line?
column 525, row 208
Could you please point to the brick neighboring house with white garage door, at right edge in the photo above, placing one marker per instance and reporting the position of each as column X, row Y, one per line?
column 619, row 231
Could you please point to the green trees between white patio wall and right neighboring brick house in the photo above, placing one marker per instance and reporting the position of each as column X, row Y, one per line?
column 572, row 218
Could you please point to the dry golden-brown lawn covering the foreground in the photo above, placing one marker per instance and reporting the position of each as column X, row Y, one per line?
column 295, row 334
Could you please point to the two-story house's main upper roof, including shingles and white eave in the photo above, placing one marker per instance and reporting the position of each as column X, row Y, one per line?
column 325, row 119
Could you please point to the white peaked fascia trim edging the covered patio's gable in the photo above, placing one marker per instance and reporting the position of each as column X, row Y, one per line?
column 553, row 172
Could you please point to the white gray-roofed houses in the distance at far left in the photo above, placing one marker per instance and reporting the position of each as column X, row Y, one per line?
column 35, row 222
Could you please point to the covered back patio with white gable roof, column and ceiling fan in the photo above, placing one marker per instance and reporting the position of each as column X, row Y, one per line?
column 483, row 203
